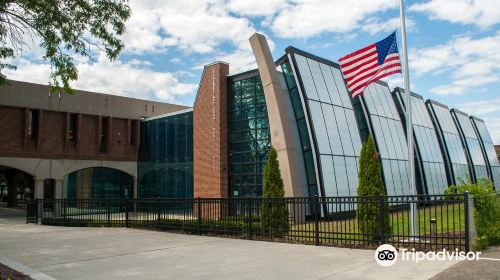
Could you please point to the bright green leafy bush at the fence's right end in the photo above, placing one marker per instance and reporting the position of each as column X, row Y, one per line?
column 487, row 210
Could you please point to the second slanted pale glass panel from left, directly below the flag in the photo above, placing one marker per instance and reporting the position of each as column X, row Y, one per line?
column 389, row 136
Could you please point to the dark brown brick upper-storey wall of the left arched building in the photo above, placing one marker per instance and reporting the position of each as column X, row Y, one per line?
column 52, row 137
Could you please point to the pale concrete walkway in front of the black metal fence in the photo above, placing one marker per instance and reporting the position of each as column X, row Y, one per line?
column 119, row 253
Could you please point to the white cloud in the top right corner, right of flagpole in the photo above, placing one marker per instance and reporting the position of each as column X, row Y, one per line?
column 482, row 13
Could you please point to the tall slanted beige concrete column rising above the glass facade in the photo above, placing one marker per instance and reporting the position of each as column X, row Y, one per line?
column 279, row 125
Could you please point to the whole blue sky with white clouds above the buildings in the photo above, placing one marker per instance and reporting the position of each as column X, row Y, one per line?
column 454, row 46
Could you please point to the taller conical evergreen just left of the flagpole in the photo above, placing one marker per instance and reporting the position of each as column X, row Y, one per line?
column 372, row 212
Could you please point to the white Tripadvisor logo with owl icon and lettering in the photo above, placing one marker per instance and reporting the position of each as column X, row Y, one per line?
column 386, row 255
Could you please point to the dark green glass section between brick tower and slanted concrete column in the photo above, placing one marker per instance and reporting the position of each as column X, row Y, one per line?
column 248, row 135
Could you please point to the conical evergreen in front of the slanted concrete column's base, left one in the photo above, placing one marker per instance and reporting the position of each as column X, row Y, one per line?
column 274, row 215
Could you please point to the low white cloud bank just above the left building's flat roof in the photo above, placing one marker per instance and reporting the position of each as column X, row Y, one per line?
column 118, row 78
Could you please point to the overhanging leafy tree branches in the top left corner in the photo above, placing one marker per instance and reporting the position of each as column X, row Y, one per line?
column 63, row 28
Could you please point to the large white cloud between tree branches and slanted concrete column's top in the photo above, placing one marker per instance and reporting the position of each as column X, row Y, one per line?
column 197, row 26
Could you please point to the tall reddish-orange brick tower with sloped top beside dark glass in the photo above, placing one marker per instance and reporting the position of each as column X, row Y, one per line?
column 211, row 153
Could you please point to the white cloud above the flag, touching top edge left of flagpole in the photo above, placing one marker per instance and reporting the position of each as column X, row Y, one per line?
column 306, row 18
